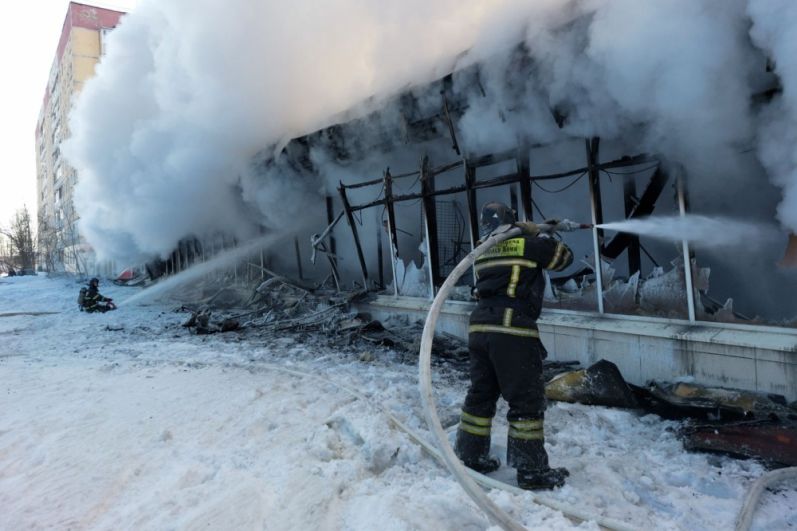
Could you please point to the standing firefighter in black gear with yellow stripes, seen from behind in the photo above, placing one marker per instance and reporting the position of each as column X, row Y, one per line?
column 506, row 353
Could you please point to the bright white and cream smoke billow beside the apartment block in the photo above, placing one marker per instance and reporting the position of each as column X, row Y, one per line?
column 189, row 91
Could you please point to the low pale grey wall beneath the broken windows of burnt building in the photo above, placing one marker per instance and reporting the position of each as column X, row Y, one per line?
column 740, row 356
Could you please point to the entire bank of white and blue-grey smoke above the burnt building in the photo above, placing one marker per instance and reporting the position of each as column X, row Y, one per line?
column 189, row 91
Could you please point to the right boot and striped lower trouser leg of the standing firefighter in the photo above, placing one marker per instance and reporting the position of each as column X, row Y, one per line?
column 526, row 452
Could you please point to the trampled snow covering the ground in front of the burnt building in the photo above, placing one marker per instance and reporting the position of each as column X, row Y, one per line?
column 126, row 420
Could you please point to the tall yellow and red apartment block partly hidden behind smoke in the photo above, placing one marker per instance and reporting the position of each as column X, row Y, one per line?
column 79, row 50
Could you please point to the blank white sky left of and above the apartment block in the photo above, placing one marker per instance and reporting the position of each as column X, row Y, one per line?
column 27, row 49
